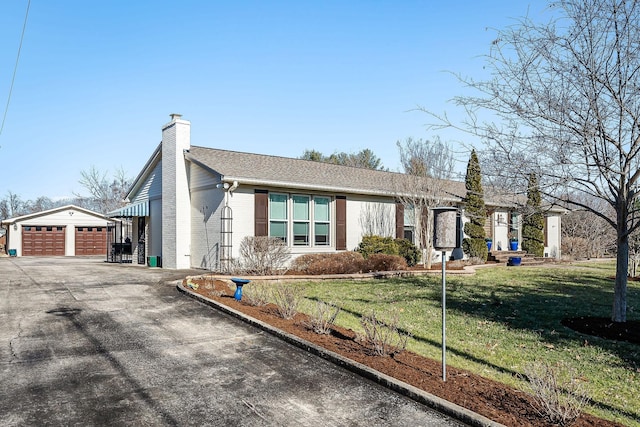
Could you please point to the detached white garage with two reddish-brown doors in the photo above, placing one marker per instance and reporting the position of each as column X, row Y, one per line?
column 65, row 231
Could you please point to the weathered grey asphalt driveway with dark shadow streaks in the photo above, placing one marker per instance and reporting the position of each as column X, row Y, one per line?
column 86, row 343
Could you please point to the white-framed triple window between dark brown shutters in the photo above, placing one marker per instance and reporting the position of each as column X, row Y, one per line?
column 306, row 218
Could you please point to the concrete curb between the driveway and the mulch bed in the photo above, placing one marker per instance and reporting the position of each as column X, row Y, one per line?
column 448, row 408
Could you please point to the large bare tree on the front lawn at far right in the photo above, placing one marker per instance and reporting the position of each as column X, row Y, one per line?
column 562, row 102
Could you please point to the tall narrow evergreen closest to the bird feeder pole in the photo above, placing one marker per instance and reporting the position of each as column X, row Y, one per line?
column 474, row 244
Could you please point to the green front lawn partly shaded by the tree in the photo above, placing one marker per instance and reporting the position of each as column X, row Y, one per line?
column 503, row 318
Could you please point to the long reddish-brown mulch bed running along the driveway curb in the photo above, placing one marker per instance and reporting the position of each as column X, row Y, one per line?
column 489, row 398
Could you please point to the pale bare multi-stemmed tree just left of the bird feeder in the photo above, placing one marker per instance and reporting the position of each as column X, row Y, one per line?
column 429, row 164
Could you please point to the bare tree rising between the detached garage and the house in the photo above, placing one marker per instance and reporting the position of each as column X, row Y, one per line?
column 106, row 195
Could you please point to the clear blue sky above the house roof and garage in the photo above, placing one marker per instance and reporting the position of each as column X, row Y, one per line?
column 97, row 80
